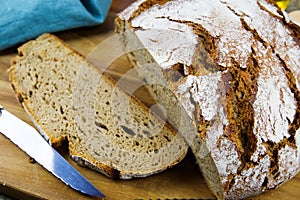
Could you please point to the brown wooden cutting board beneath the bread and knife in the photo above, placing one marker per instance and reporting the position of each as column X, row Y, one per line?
column 24, row 180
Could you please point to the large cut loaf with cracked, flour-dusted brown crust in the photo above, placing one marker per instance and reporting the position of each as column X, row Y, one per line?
column 227, row 73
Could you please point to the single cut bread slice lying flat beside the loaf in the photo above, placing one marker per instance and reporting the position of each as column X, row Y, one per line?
column 107, row 130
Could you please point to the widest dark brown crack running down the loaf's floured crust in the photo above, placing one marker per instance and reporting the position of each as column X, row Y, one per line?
column 241, row 89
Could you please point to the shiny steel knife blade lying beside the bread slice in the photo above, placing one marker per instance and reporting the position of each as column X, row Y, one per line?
column 30, row 141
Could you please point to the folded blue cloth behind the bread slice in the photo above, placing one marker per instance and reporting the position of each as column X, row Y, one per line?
column 21, row 20
